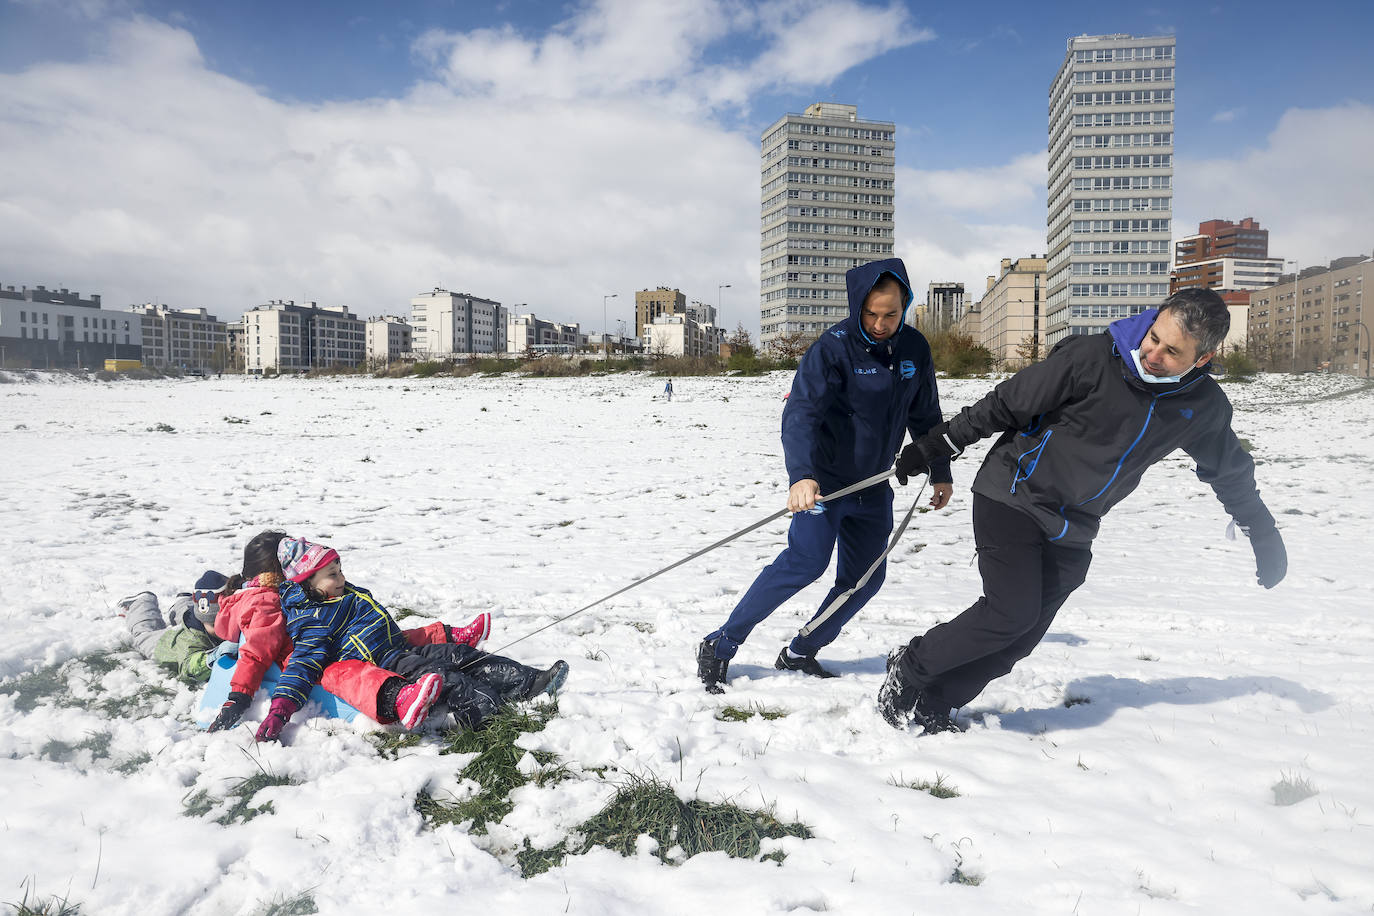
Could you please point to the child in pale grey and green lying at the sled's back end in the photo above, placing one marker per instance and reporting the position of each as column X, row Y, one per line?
column 182, row 642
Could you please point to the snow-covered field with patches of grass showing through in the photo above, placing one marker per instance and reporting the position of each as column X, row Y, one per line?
column 1127, row 767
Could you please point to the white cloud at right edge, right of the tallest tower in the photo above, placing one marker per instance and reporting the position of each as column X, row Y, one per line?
column 1311, row 185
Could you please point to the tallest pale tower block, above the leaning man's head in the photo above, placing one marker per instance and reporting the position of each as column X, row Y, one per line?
column 1111, row 182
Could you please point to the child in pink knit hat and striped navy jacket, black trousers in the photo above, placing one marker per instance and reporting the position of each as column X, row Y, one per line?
column 332, row 620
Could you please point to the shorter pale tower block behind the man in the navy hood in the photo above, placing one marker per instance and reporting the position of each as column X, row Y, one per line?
column 828, row 207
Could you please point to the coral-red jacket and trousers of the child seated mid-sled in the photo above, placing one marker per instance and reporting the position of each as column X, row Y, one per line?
column 255, row 613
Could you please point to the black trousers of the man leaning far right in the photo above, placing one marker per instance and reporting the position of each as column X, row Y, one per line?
column 1026, row 580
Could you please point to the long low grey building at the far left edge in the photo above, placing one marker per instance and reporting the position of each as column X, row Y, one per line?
column 52, row 329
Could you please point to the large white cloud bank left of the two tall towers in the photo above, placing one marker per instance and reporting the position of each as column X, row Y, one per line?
column 545, row 170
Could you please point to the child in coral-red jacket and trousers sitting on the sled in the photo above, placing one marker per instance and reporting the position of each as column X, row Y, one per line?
column 251, row 619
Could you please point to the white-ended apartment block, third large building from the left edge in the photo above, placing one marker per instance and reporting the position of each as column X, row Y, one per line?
column 285, row 337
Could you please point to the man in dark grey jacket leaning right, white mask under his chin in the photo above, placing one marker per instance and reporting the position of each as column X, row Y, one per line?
column 1077, row 433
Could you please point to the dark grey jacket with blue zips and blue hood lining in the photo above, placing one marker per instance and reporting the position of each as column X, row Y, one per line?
column 1082, row 428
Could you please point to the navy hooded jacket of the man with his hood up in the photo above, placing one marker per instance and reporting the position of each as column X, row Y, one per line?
column 854, row 398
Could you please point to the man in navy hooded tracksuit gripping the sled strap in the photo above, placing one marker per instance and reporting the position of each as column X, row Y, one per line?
column 859, row 388
